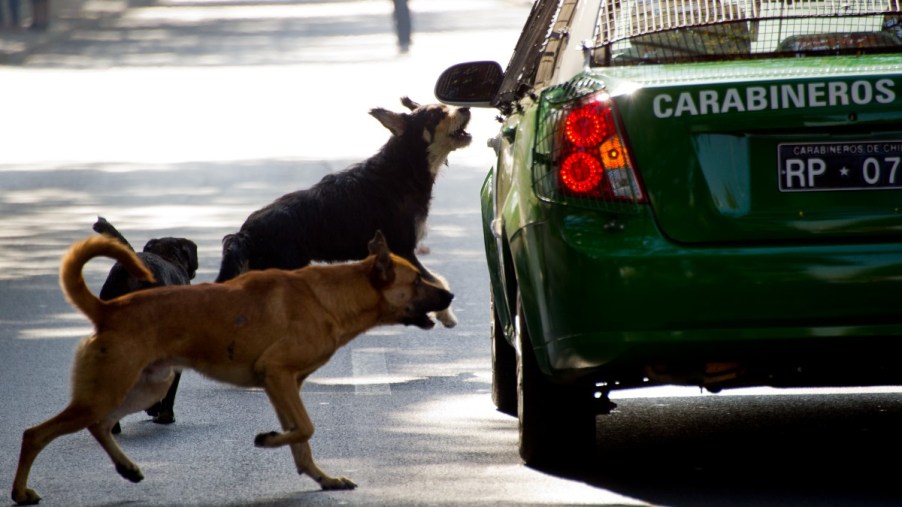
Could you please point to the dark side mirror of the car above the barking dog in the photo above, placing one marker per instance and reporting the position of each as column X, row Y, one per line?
column 471, row 84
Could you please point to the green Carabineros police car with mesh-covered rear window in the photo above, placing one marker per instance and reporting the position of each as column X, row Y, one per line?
column 689, row 192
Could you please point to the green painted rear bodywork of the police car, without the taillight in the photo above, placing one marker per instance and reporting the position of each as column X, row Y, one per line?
column 722, row 262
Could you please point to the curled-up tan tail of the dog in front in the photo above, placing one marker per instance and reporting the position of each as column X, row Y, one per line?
column 72, row 280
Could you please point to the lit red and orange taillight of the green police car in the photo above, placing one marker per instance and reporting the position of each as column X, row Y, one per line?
column 593, row 160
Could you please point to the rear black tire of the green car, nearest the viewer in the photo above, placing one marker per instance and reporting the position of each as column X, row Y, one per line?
column 556, row 421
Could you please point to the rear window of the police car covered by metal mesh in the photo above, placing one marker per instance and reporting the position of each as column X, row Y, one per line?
column 633, row 32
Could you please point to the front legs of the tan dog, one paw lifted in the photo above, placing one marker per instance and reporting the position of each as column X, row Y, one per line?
column 284, row 394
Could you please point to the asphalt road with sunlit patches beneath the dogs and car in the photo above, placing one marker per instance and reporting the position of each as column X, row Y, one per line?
column 179, row 119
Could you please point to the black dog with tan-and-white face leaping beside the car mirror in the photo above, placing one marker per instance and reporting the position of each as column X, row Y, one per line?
column 334, row 219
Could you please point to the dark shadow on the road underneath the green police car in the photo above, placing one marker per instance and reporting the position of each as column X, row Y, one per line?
column 795, row 451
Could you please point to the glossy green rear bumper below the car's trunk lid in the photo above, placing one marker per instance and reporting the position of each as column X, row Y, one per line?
column 610, row 298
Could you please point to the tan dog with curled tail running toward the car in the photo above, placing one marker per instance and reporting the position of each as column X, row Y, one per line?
column 268, row 329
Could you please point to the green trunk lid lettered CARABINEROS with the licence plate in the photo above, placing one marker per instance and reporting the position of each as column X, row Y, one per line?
column 768, row 150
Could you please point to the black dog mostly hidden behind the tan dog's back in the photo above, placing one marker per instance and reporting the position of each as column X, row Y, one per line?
column 173, row 261
